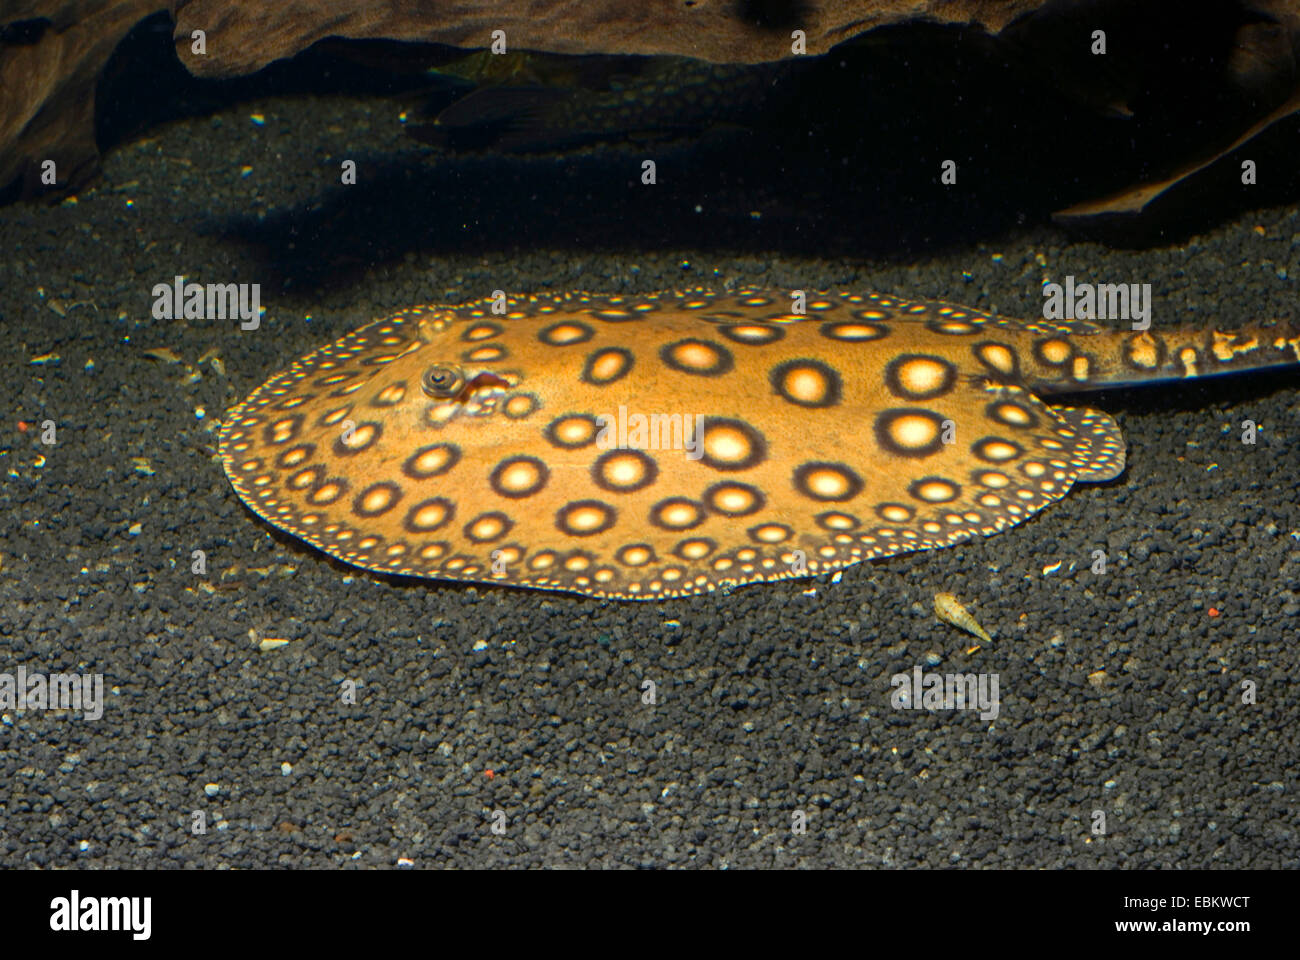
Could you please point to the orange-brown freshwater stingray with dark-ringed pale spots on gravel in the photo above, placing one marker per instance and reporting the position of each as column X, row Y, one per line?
column 642, row 447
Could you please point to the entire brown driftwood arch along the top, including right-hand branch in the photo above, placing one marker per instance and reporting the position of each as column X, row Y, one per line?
column 54, row 51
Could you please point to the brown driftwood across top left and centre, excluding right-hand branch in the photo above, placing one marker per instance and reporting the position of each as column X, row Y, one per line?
column 53, row 51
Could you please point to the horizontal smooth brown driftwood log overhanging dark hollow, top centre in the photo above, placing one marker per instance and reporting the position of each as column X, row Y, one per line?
column 245, row 37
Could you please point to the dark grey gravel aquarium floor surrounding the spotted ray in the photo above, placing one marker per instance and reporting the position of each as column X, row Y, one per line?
column 405, row 720
